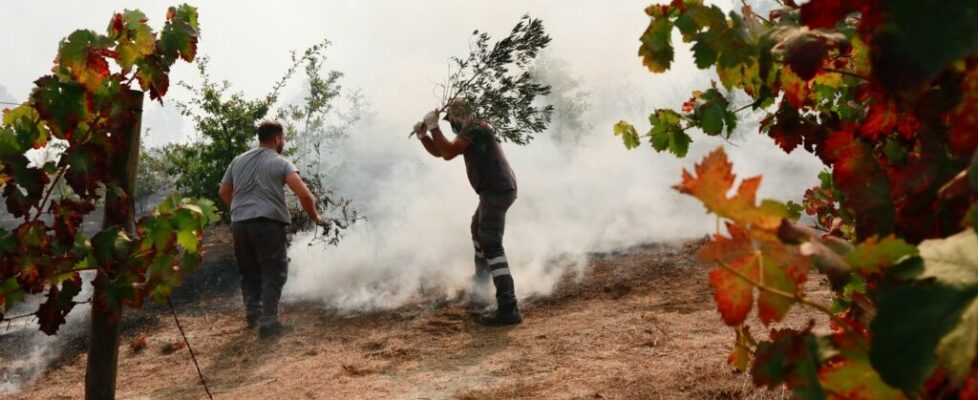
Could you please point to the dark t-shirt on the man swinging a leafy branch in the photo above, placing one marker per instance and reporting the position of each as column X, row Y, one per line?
column 485, row 164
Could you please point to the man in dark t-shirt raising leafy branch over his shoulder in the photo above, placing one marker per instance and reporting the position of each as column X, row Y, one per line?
column 493, row 180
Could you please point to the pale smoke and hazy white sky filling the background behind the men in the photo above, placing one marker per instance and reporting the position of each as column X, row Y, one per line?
column 576, row 195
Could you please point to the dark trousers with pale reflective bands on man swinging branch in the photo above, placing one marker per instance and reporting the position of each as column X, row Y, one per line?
column 488, row 225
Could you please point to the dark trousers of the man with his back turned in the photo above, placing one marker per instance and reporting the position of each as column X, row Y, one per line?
column 260, row 251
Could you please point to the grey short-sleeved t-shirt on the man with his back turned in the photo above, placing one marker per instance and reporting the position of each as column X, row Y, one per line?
column 258, row 177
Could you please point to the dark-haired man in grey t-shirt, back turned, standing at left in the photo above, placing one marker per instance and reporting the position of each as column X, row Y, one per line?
column 253, row 188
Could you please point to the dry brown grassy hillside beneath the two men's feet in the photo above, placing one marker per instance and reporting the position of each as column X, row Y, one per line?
column 637, row 324
